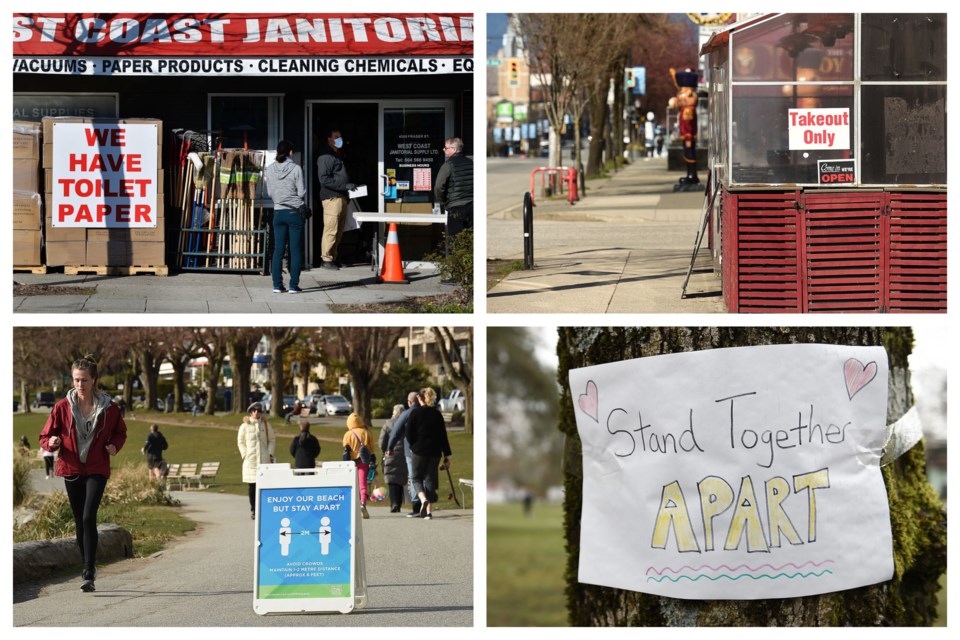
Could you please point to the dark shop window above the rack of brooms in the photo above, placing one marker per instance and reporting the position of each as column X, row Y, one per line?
column 254, row 118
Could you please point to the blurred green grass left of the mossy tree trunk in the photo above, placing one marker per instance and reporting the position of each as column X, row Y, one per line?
column 525, row 563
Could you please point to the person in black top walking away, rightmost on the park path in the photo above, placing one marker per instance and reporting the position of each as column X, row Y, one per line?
column 427, row 435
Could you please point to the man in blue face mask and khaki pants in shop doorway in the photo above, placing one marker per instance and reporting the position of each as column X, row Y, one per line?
column 334, row 184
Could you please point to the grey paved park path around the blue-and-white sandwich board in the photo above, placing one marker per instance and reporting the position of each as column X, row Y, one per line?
column 419, row 573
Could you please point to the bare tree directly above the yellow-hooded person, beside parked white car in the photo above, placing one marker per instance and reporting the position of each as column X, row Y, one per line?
column 364, row 351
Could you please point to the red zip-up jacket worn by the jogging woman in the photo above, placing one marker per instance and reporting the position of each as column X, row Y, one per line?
column 110, row 429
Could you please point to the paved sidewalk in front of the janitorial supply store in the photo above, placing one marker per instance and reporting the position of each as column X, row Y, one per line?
column 211, row 292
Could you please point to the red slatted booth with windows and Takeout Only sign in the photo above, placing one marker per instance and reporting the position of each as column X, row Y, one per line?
column 829, row 161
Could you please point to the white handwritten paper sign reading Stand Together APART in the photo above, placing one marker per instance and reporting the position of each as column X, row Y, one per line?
column 742, row 473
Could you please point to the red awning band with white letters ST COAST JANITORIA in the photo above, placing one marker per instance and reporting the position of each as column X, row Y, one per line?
column 242, row 34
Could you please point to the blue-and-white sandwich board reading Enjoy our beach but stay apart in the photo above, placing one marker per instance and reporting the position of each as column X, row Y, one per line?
column 308, row 551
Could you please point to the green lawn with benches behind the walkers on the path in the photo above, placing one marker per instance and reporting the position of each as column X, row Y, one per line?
column 205, row 439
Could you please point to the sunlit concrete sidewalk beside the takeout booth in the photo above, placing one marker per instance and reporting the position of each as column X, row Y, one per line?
column 625, row 248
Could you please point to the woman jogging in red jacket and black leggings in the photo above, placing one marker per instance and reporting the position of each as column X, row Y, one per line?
column 86, row 428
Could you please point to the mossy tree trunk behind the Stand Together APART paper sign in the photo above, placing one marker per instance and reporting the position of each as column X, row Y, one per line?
column 918, row 518
